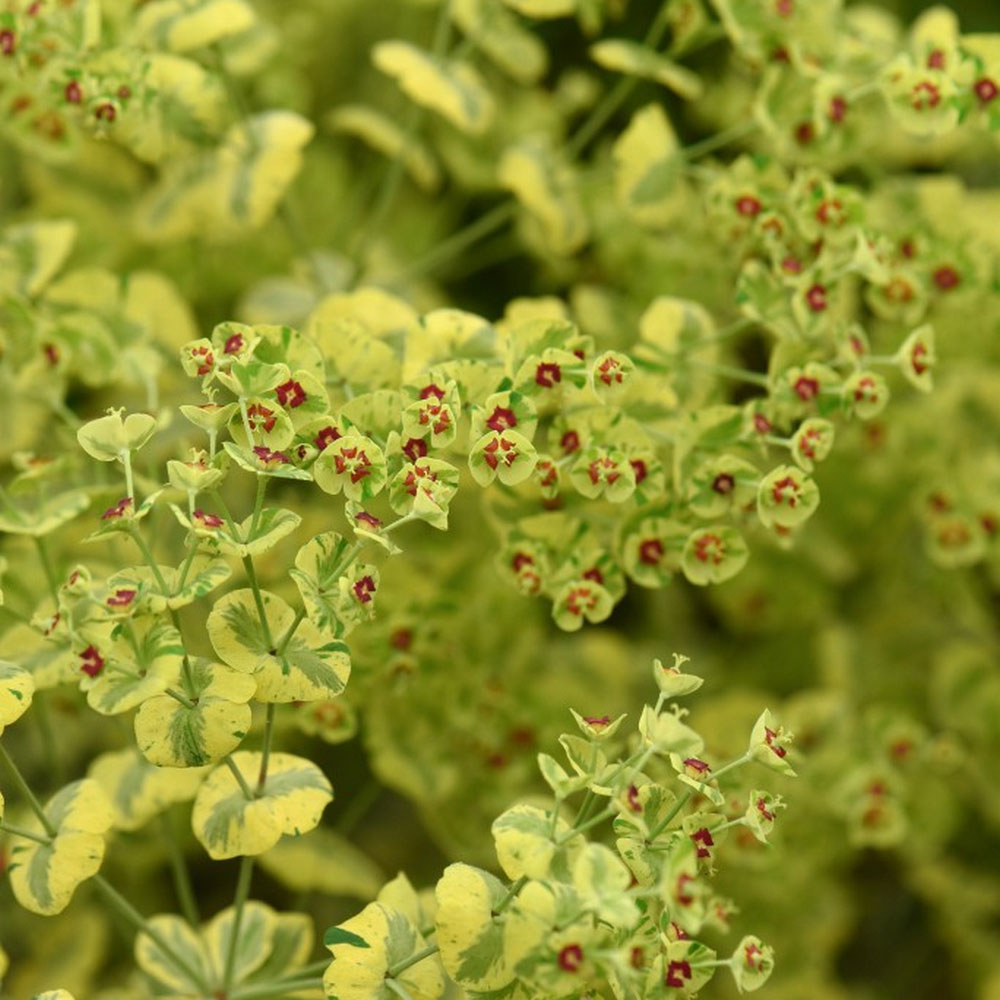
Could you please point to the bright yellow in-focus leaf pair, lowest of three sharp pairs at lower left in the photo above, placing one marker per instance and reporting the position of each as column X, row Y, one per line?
column 228, row 824
